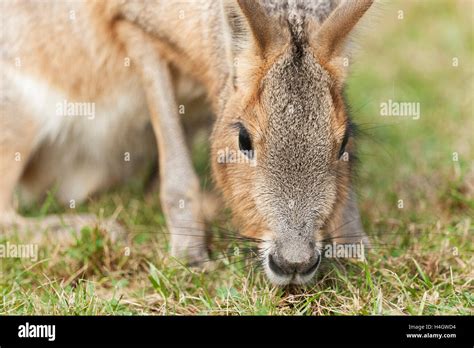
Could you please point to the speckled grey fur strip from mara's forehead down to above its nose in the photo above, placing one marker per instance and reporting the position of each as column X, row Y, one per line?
column 298, row 144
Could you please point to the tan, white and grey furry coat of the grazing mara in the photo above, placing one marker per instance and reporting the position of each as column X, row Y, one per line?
column 273, row 67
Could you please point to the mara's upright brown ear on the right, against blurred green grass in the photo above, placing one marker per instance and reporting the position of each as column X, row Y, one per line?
column 329, row 39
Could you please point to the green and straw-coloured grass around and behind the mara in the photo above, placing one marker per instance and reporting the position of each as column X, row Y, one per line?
column 422, row 256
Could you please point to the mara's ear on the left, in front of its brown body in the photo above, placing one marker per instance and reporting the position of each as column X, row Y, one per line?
column 252, row 34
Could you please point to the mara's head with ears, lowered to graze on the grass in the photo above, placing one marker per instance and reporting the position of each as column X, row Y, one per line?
column 281, row 145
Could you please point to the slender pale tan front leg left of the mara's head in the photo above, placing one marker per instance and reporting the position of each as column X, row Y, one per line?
column 179, row 185
